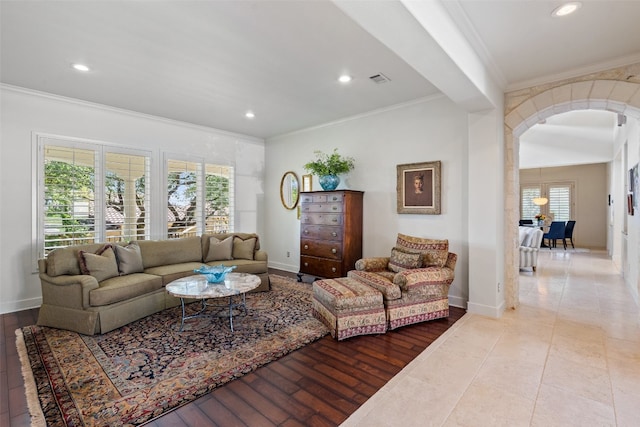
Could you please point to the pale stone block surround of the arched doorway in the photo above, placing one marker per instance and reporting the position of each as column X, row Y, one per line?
column 615, row 90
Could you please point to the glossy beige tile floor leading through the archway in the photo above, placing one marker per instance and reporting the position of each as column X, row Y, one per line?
column 568, row 356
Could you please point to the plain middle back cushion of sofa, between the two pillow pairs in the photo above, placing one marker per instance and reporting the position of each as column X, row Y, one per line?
column 172, row 251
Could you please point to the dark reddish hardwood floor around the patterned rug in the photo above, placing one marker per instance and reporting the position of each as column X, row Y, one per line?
column 320, row 384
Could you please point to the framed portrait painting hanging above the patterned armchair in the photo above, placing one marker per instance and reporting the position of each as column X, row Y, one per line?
column 419, row 188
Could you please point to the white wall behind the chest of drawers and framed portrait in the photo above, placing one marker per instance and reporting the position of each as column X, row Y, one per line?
column 428, row 130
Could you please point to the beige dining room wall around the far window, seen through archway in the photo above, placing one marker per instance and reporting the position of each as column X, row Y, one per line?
column 590, row 193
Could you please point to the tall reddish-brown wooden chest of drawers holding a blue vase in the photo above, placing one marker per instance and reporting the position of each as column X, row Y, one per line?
column 330, row 232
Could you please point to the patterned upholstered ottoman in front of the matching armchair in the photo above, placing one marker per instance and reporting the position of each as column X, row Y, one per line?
column 348, row 307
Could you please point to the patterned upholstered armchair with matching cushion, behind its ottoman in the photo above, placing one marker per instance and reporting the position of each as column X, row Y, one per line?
column 414, row 280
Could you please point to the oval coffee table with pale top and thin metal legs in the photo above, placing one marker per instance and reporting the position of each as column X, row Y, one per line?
column 197, row 287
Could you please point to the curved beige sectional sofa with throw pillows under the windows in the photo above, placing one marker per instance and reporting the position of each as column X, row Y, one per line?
column 99, row 287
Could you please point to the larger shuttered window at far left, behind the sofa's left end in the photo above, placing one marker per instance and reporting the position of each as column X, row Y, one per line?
column 89, row 192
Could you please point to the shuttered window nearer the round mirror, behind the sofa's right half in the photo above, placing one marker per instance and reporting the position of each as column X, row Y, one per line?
column 199, row 198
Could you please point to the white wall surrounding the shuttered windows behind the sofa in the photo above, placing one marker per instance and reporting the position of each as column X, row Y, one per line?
column 24, row 113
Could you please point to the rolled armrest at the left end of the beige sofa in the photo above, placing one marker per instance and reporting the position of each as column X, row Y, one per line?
column 67, row 290
